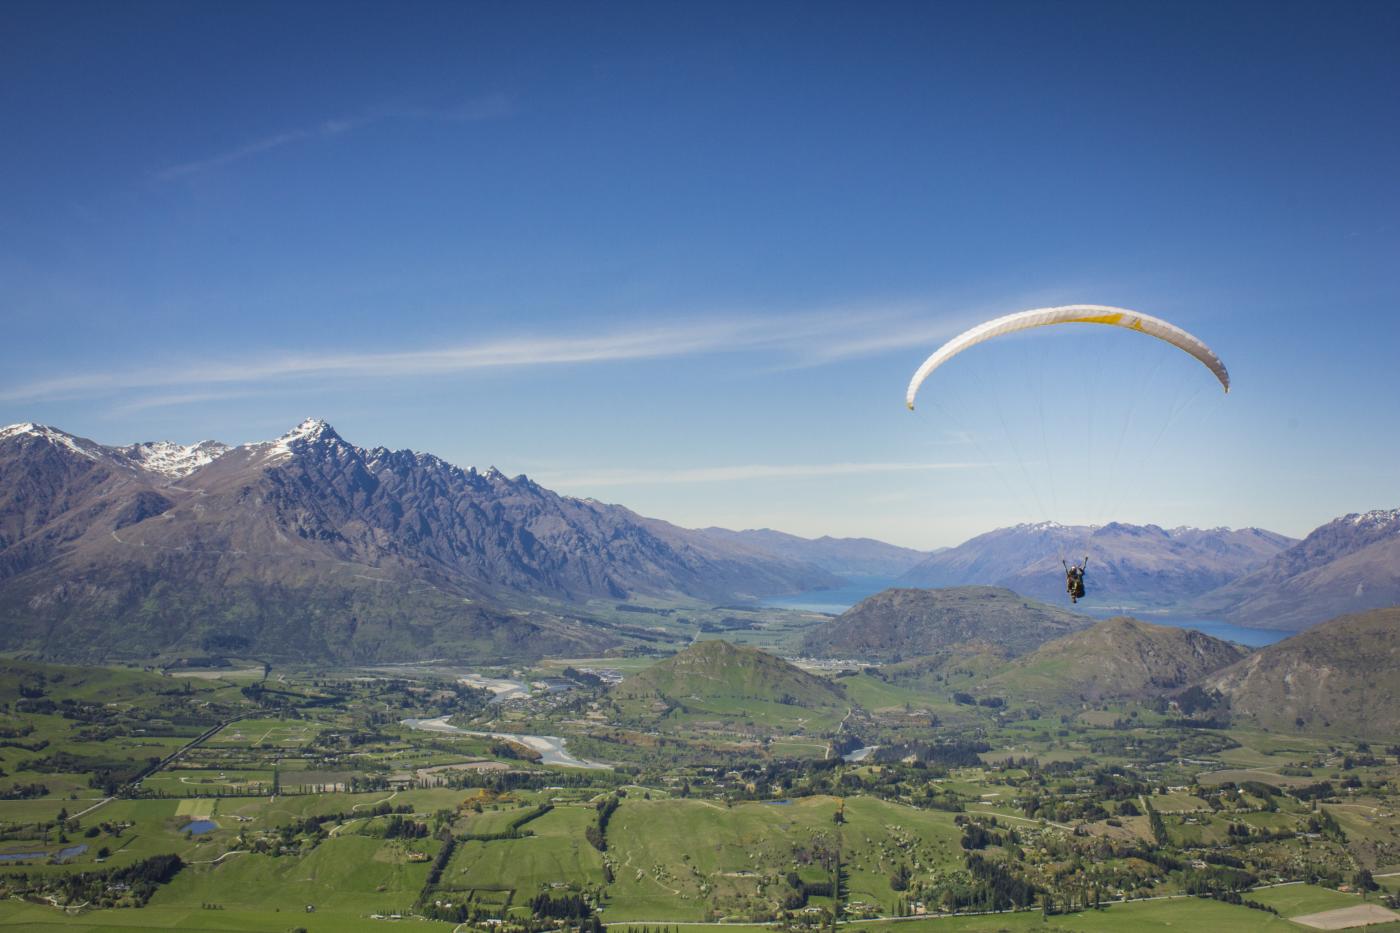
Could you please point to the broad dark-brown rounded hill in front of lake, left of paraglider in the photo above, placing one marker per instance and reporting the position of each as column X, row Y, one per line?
column 902, row 624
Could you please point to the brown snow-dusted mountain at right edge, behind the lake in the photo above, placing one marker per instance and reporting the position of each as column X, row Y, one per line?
column 1349, row 565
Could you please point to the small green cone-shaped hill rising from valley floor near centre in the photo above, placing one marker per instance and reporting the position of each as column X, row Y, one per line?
column 717, row 676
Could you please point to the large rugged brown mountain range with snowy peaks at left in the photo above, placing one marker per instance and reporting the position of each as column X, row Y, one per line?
column 310, row 547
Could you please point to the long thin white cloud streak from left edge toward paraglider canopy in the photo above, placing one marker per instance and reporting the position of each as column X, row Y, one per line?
column 810, row 338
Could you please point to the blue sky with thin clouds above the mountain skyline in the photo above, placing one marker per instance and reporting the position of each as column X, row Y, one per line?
column 685, row 257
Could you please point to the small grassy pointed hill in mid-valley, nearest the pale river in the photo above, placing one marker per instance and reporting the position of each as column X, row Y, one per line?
column 722, row 682
